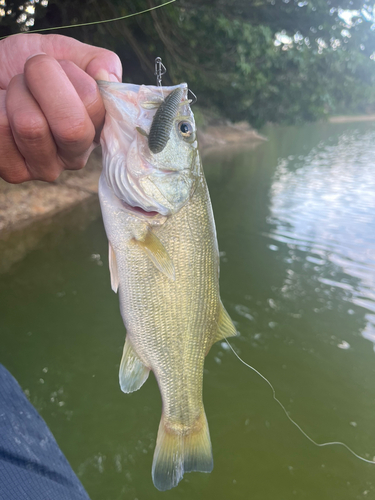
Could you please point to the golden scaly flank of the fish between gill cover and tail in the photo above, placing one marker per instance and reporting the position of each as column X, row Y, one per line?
column 175, row 316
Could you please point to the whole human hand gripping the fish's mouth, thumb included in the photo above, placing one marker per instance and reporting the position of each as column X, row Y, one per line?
column 51, row 111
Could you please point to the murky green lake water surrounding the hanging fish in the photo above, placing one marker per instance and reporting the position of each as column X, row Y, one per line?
column 295, row 220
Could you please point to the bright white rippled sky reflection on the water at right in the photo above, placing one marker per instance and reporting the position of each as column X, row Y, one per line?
column 323, row 204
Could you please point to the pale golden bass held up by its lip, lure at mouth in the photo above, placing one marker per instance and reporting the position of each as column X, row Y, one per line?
column 164, row 263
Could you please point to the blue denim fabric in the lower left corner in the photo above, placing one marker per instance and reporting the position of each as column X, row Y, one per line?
column 32, row 465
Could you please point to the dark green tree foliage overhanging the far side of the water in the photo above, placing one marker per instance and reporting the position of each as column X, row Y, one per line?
column 226, row 51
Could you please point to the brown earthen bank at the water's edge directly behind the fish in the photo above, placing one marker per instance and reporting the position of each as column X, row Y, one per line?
column 29, row 211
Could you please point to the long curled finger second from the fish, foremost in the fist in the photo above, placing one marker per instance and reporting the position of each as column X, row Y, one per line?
column 68, row 120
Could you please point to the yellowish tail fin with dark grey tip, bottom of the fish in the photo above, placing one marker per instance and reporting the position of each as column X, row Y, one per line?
column 177, row 452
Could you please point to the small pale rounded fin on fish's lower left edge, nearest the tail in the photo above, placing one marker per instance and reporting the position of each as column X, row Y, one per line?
column 133, row 373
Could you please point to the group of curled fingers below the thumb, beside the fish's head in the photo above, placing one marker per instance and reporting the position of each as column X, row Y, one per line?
column 52, row 119
